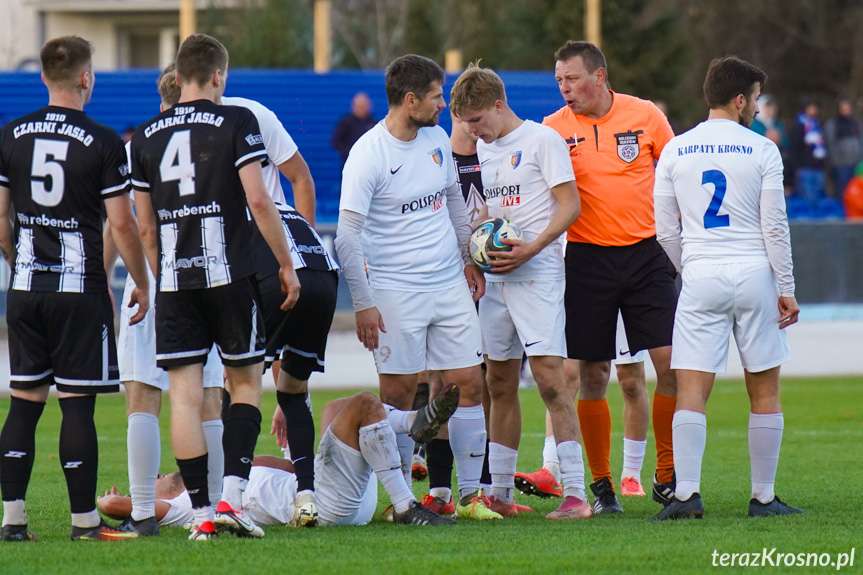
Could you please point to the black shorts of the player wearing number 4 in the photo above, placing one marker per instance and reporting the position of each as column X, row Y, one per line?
column 189, row 322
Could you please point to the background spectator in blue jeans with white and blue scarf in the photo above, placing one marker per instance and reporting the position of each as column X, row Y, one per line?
column 808, row 152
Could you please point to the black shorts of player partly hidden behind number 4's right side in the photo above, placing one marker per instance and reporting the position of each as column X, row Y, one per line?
column 299, row 335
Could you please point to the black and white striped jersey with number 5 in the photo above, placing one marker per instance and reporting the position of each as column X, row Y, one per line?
column 59, row 165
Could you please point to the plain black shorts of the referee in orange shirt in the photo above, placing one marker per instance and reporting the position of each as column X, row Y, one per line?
column 638, row 280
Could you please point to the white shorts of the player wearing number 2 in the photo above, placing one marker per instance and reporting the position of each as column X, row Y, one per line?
column 718, row 299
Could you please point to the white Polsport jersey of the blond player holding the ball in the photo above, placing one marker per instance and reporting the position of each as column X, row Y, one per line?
column 518, row 172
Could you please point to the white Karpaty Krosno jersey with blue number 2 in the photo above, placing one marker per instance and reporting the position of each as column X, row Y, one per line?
column 717, row 172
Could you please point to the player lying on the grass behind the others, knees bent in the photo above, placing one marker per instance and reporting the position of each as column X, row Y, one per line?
column 359, row 438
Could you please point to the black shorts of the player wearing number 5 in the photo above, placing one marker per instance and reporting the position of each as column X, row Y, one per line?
column 65, row 339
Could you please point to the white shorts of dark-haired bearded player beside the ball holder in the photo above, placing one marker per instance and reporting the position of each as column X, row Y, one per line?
column 436, row 330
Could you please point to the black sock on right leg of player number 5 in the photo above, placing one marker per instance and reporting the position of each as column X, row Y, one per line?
column 79, row 451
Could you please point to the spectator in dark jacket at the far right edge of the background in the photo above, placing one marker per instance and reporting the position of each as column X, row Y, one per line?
column 844, row 145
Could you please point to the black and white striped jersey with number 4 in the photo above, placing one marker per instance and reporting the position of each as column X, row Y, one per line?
column 188, row 159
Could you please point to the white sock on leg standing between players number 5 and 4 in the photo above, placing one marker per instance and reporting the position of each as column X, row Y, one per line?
column 143, row 444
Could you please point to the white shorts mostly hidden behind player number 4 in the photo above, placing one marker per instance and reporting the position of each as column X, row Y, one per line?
column 136, row 346
